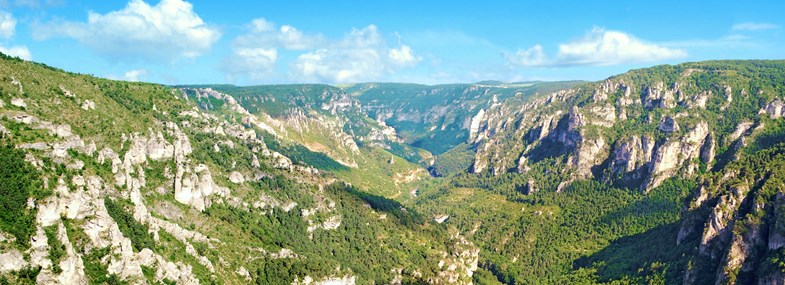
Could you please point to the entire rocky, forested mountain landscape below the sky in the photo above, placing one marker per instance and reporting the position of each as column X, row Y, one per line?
column 672, row 174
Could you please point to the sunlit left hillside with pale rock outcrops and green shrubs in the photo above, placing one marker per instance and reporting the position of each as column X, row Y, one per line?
column 117, row 182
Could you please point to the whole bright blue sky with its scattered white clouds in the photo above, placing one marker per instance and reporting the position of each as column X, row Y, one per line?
column 339, row 42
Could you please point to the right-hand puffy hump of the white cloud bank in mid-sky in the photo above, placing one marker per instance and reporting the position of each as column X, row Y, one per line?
column 363, row 55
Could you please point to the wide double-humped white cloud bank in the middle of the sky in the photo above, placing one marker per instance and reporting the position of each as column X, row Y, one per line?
column 361, row 55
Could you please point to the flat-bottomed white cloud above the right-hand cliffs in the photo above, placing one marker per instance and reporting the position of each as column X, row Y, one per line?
column 598, row 47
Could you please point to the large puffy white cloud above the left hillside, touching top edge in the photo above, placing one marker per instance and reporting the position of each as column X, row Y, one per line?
column 166, row 31
